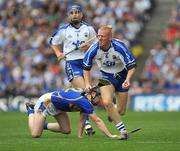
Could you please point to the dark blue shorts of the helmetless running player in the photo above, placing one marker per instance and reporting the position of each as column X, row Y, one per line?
column 116, row 79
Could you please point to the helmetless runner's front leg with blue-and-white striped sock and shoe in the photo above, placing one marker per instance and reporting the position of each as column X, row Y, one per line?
column 107, row 97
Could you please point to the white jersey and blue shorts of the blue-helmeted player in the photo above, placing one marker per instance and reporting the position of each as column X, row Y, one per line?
column 71, row 38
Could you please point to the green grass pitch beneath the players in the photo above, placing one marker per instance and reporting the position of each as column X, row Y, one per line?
column 160, row 132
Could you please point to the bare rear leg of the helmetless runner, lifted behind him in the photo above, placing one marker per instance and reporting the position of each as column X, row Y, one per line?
column 121, row 101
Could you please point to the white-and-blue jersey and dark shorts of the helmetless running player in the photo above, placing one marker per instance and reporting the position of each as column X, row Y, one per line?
column 113, row 64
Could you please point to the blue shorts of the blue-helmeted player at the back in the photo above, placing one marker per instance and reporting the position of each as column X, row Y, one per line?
column 74, row 68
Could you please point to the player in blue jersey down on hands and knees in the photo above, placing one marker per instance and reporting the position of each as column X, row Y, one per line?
column 57, row 104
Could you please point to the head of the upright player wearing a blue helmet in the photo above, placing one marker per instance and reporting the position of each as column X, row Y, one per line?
column 75, row 14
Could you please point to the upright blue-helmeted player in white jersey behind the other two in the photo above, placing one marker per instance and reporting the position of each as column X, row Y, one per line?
column 74, row 37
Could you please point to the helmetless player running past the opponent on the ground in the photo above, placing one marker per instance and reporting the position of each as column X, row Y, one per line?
column 117, row 65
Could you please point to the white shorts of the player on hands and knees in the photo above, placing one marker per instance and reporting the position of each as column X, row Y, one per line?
column 45, row 106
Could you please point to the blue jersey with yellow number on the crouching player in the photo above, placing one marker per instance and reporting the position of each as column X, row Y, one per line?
column 69, row 99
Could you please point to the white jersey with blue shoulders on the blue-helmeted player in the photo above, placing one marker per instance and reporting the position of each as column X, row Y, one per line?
column 71, row 38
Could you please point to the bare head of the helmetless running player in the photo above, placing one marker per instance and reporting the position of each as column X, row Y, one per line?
column 104, row 37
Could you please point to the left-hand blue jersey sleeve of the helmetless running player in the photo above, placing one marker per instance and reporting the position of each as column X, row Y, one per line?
column 89, row 56
